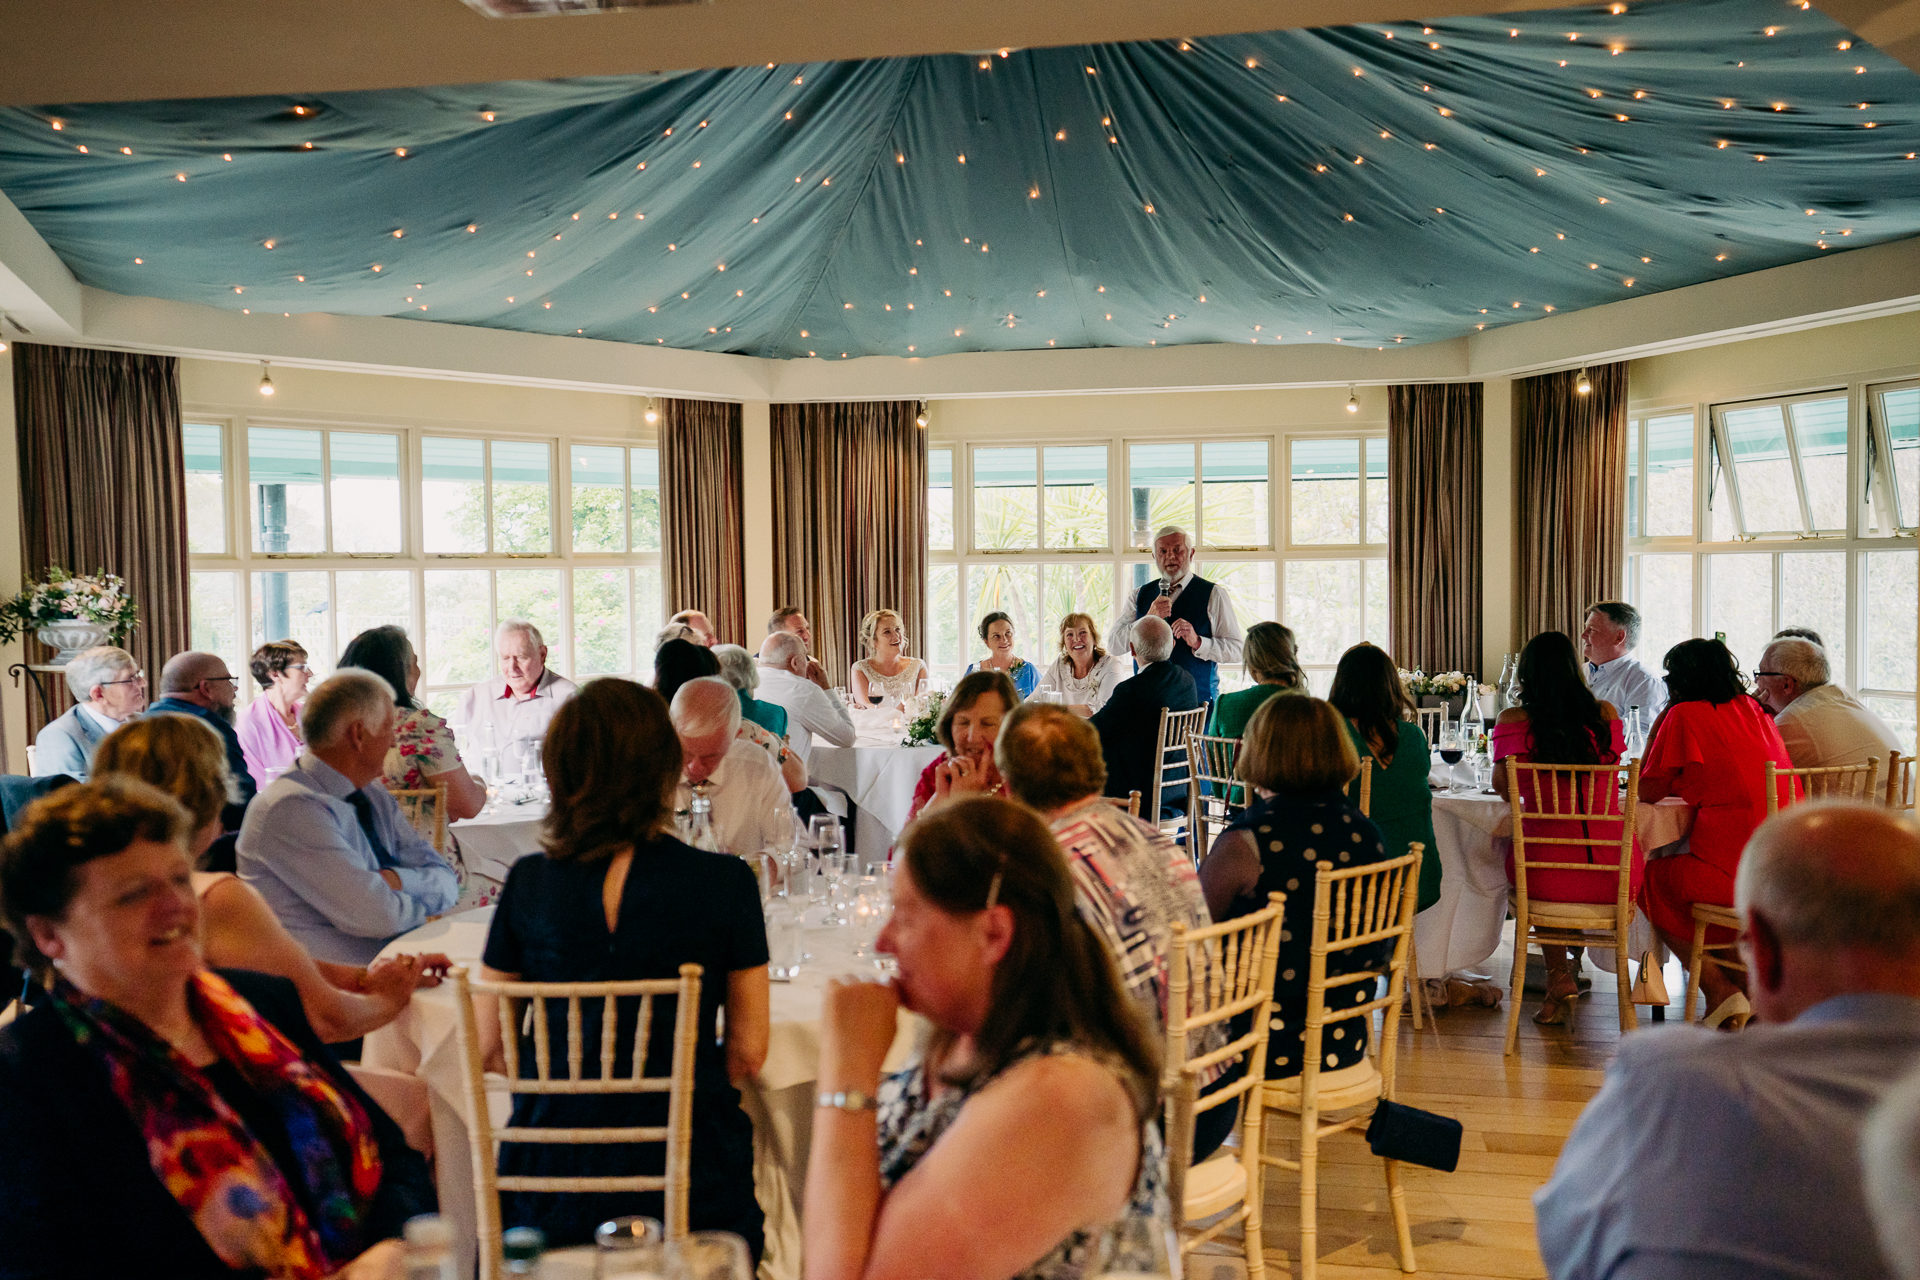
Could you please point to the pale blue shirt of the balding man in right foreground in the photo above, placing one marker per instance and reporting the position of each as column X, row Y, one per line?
column 1712, row 1156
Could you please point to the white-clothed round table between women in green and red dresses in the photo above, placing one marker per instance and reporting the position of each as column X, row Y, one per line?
column 1476, row 834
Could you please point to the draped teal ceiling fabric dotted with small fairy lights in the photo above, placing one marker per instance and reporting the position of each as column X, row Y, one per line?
column 1364, row 185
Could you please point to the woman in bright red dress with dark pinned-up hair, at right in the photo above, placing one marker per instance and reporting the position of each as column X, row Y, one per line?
column 1710, row 747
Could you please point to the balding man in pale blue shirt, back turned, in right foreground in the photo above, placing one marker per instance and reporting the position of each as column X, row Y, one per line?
column 1714, row 1156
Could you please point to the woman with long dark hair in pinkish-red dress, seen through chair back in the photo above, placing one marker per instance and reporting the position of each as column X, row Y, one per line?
column 1562, row 723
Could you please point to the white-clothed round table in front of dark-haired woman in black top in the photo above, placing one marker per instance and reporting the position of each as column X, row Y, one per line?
column 423, row 1043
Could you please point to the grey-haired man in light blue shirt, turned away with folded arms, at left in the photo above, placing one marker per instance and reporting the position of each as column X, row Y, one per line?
column 327, row 847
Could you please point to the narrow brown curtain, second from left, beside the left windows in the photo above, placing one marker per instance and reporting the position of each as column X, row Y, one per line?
column 702, row 508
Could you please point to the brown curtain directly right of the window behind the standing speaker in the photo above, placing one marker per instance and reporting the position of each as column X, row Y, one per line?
column 1433, row 544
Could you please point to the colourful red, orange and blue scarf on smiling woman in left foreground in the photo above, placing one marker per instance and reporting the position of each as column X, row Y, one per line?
column 204, row 1154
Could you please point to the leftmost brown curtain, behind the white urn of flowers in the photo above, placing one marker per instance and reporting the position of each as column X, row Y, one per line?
column 105, row 488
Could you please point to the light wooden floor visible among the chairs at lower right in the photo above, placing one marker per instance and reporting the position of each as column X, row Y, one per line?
column 1518, row 1112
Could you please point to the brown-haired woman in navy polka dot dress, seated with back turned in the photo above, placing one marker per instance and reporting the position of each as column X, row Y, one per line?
column 1299, row 759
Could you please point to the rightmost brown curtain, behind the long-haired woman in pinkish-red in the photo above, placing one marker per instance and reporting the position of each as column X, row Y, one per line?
column 1572, row 498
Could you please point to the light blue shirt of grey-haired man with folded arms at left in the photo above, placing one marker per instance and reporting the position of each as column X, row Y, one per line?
column 304, row 851
